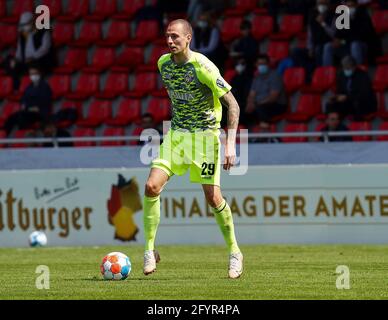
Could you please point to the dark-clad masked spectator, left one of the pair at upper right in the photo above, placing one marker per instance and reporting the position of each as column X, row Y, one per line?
column 320, row 30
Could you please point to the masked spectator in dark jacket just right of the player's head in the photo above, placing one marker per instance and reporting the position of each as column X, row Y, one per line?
column 207, row 40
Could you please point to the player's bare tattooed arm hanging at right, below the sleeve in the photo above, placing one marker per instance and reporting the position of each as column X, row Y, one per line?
column 229, row 101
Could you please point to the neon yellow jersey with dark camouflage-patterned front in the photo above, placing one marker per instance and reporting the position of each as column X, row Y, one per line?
column 194, row 89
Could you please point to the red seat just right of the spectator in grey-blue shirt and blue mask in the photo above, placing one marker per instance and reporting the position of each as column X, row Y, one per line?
column 308, row 106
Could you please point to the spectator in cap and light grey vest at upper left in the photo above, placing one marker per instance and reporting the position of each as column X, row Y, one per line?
column 34, row 47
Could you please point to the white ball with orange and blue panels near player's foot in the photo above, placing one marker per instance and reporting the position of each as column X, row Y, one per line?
column 115, row 266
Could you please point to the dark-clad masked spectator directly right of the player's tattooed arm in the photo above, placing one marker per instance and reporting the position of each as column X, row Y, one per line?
column 241, row 84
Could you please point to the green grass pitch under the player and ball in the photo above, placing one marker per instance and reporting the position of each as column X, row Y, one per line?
column 200, row 272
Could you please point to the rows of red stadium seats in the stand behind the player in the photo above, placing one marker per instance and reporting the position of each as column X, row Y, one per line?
column 107, row 54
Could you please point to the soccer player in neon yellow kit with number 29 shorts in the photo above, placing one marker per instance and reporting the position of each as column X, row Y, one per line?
column 196, row 90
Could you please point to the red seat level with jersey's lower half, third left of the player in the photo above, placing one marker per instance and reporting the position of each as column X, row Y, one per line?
column 99, row 110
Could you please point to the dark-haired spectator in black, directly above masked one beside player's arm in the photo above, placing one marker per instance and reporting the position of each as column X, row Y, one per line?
column 246, row 46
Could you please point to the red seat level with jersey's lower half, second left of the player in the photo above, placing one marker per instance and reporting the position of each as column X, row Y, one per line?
column 129, row 111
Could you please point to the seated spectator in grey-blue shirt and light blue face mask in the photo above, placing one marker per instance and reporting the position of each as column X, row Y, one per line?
column 267, row 97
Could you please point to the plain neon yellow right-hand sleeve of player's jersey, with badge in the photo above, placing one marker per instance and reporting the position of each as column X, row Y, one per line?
column 210, row 76
